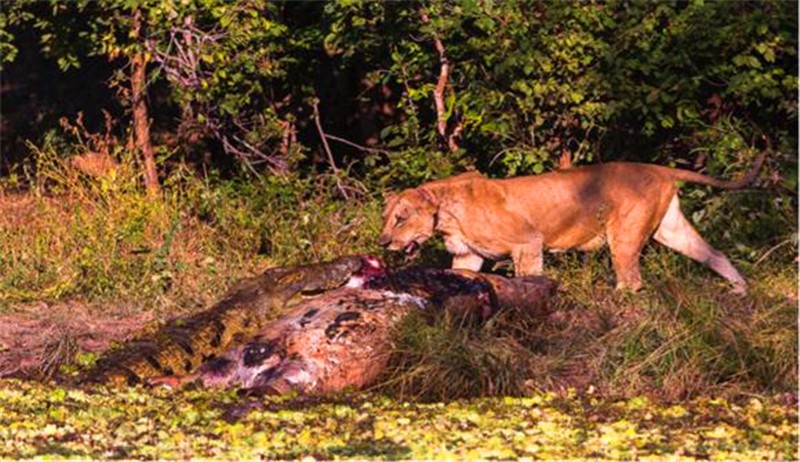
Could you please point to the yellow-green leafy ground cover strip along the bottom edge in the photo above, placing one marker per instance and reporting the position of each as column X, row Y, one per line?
column 46, row 421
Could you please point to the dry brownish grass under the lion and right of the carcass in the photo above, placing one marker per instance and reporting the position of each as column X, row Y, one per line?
column 683, row 336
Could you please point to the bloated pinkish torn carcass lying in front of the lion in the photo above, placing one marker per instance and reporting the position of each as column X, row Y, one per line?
column 334, row 338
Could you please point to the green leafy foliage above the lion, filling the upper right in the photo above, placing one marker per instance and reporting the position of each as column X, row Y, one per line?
column 530, row 80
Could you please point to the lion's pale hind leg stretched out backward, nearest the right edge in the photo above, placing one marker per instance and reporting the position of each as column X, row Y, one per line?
column 678, row 234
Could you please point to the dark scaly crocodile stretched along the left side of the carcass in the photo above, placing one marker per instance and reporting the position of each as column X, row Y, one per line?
column 182, row 345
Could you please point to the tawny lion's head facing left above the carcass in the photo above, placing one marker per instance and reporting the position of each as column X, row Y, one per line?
column 409, row 219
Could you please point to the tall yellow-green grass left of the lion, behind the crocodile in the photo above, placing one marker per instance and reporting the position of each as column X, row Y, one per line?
column 104, row 238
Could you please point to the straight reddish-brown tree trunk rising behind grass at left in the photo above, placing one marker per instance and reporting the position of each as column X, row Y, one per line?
column 141, row 119
